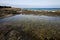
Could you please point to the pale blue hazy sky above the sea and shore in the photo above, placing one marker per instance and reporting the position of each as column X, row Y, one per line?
column 31, row 3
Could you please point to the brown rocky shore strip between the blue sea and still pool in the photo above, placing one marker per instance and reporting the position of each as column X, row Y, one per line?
column 9, row 10
